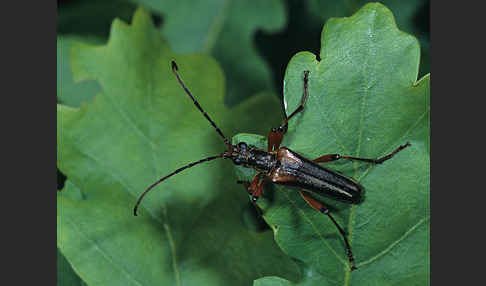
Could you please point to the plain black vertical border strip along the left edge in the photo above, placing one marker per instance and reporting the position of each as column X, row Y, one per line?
column 29, row 91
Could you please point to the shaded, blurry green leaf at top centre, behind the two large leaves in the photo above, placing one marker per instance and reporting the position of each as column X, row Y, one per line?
column 225, row 29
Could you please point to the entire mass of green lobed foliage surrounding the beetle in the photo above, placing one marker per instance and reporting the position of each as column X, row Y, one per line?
column 198, row 227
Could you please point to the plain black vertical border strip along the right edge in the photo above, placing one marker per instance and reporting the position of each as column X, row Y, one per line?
column 457, row 202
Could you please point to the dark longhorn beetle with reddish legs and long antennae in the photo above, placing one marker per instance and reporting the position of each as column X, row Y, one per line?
column 283, row 166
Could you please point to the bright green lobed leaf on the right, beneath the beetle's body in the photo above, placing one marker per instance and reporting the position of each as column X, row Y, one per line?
column 364, row 101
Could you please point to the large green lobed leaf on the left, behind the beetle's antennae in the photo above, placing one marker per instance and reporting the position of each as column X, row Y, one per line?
column 191, row 229
